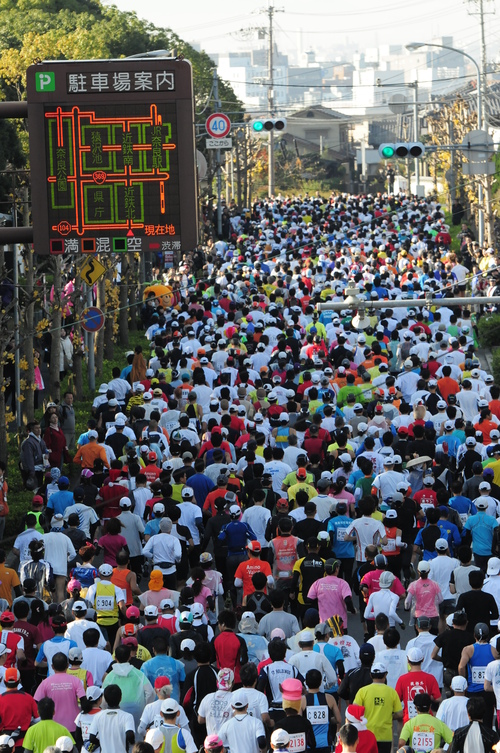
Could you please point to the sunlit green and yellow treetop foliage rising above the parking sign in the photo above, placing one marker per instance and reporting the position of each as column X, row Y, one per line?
column 86, row 29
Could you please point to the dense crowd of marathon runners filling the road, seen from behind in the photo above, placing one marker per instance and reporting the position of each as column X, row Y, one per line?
column 259, row 481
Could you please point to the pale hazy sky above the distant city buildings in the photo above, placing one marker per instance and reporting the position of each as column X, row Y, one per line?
column 323, row 25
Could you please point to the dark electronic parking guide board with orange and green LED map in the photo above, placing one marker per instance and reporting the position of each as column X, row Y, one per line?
column 115, row 173
